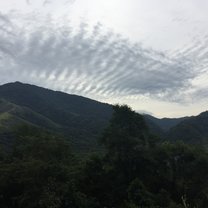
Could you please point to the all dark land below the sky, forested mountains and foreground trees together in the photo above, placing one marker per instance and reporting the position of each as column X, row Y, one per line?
column 39, row 168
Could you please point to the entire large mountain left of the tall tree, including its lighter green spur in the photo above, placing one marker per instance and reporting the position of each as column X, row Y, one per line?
column 79, row 118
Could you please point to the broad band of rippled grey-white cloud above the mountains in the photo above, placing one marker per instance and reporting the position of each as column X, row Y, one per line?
column 93, row 61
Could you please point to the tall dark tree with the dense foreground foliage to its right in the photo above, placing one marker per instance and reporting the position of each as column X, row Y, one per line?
column 139, row 171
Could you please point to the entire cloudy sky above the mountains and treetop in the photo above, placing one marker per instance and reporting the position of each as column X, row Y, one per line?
column 149, row 54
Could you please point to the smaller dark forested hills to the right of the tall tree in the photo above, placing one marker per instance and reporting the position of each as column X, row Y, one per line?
column 191, row 130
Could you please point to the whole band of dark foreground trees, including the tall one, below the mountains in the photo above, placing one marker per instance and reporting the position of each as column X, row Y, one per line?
column 136, row 170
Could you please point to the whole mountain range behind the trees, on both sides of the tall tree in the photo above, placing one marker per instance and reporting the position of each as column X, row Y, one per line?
column 80, row 119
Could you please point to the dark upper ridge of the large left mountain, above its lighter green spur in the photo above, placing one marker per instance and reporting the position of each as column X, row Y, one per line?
column 80, row 118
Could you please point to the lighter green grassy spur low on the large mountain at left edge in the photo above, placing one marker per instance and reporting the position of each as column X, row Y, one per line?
column 13, row 116
